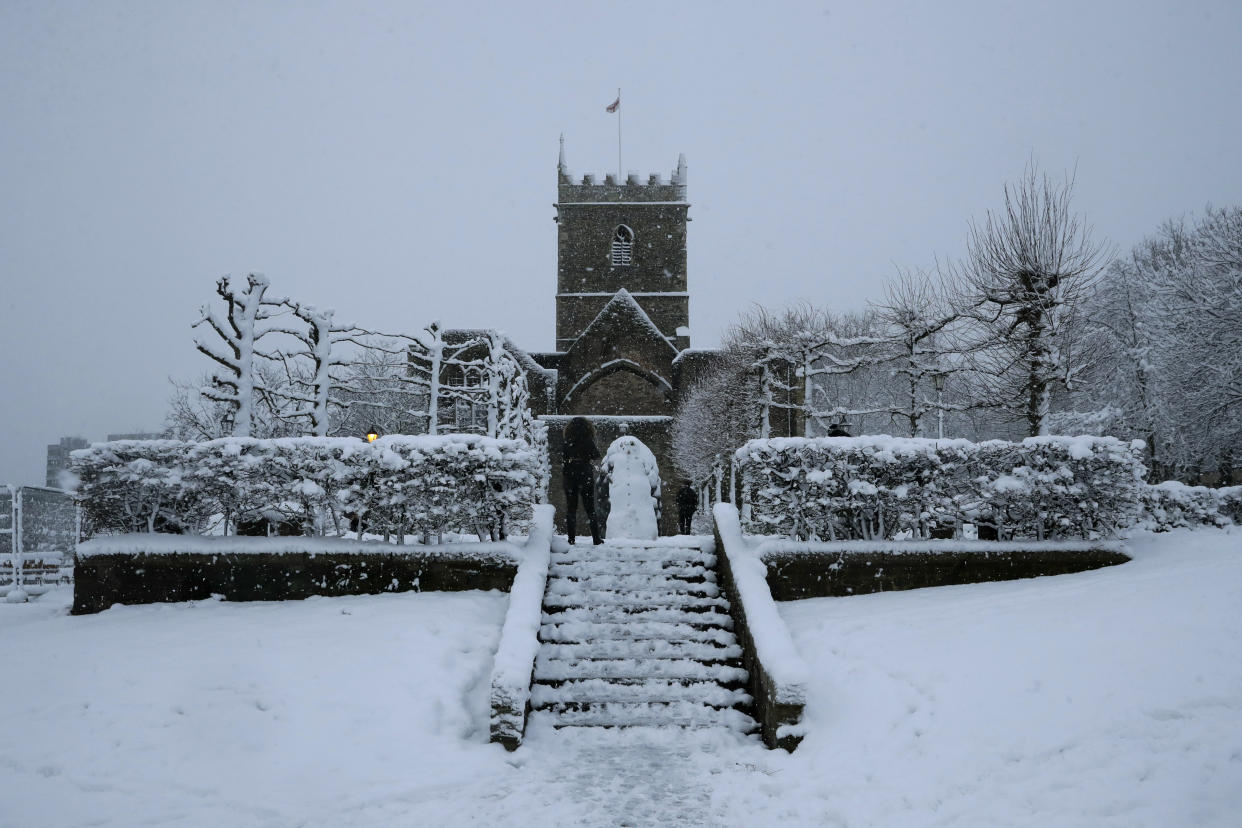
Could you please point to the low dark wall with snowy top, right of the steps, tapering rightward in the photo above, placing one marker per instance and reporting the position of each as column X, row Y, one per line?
column 859, row 568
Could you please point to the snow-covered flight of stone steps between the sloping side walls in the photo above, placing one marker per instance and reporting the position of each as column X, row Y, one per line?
column 637, row 635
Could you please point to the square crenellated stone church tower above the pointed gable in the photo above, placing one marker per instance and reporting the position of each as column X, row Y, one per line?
column 622, row 235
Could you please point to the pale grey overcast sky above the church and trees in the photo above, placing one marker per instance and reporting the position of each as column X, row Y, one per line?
column 397, row 161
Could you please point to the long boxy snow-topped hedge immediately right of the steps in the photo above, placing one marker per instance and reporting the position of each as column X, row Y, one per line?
column 839, row 488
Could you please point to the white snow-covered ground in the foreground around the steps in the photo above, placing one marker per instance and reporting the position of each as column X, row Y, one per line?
column 1105, row 698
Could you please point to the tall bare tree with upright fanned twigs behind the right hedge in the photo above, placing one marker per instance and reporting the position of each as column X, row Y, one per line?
column 1029, row 270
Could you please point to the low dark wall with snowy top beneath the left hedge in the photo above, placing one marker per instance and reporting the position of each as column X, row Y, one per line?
column 151, row 569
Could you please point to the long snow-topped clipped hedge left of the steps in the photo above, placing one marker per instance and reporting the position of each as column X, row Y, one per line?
column 402, row 485
